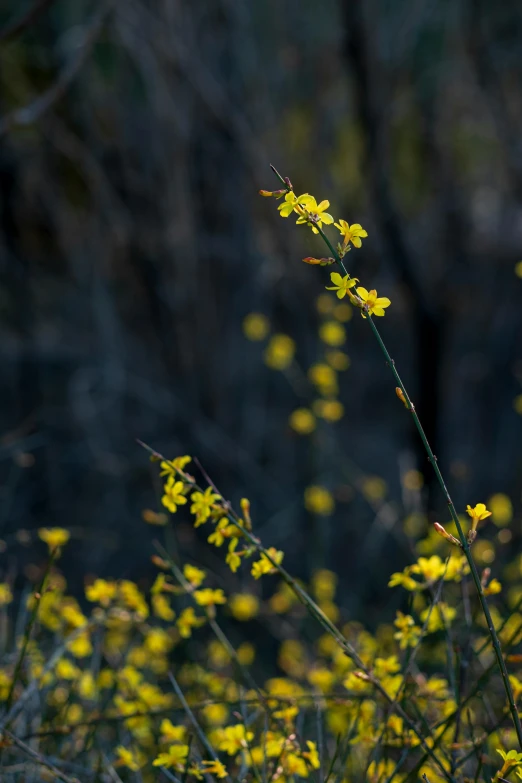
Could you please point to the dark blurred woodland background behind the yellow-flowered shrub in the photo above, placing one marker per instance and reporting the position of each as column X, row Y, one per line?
column 134, row 137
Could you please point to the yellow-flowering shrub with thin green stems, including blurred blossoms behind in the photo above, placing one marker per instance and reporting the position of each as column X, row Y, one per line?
column 132, row 683
